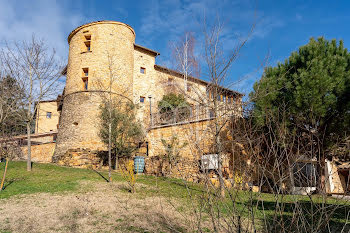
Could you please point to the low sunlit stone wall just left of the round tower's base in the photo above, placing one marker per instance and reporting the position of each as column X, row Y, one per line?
column 40, row 153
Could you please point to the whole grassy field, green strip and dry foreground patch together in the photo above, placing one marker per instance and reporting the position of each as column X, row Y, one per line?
column 61, row 199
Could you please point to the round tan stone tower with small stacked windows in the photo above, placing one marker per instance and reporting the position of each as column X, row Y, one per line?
column 101, row 55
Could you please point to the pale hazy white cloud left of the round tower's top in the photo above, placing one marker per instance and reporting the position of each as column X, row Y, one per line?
column 19, row 20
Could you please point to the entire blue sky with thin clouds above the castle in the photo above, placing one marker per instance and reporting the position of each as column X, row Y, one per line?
column 281, row 26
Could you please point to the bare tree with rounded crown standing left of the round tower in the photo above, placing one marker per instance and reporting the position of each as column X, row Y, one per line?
column 37, row 70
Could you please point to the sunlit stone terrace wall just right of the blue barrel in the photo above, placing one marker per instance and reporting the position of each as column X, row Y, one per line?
column 193, row 141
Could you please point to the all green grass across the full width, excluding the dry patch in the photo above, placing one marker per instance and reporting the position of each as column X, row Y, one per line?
column 49, row 178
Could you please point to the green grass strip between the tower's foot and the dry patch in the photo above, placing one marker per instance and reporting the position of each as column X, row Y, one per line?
column 50, row 178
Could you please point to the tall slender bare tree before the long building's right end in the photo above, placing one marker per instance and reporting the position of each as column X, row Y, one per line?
column 218, row 63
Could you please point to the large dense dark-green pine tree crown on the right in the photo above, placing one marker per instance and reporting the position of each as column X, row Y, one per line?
column 311, row 87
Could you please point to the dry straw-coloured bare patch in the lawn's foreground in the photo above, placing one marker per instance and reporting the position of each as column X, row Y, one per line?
column 106, row 209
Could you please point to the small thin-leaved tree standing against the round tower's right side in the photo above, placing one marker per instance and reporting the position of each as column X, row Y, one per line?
column 117, row 111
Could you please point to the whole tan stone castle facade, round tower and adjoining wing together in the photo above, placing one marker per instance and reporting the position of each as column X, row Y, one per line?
column 103, row 58
